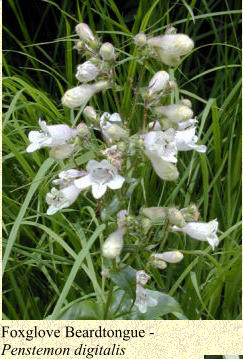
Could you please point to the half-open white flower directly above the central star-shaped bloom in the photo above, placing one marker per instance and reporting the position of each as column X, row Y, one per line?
column 111, row 127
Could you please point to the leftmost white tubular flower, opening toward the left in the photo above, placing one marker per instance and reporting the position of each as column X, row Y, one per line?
column 50, row 136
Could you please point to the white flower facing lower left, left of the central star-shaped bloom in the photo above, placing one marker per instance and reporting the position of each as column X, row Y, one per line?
column 59, row 199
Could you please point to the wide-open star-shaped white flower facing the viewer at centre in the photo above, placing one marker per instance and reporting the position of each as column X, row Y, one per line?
column 100, row 176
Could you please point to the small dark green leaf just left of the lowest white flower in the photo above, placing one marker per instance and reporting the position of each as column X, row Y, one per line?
column 125, row 278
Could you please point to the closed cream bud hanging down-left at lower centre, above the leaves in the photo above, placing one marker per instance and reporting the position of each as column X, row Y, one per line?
column 112, row 246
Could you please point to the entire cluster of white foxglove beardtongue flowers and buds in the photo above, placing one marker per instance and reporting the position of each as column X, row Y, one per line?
column 168, row 129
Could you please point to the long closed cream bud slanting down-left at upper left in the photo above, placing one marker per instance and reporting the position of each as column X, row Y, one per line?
column 80, row 95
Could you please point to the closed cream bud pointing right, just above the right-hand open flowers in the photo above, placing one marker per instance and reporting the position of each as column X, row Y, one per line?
column 175, row 112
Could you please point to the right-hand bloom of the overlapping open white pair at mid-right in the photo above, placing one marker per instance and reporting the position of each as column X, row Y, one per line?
column 186, row 141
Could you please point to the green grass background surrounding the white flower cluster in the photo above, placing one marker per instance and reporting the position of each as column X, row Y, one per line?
column 40, row 261
